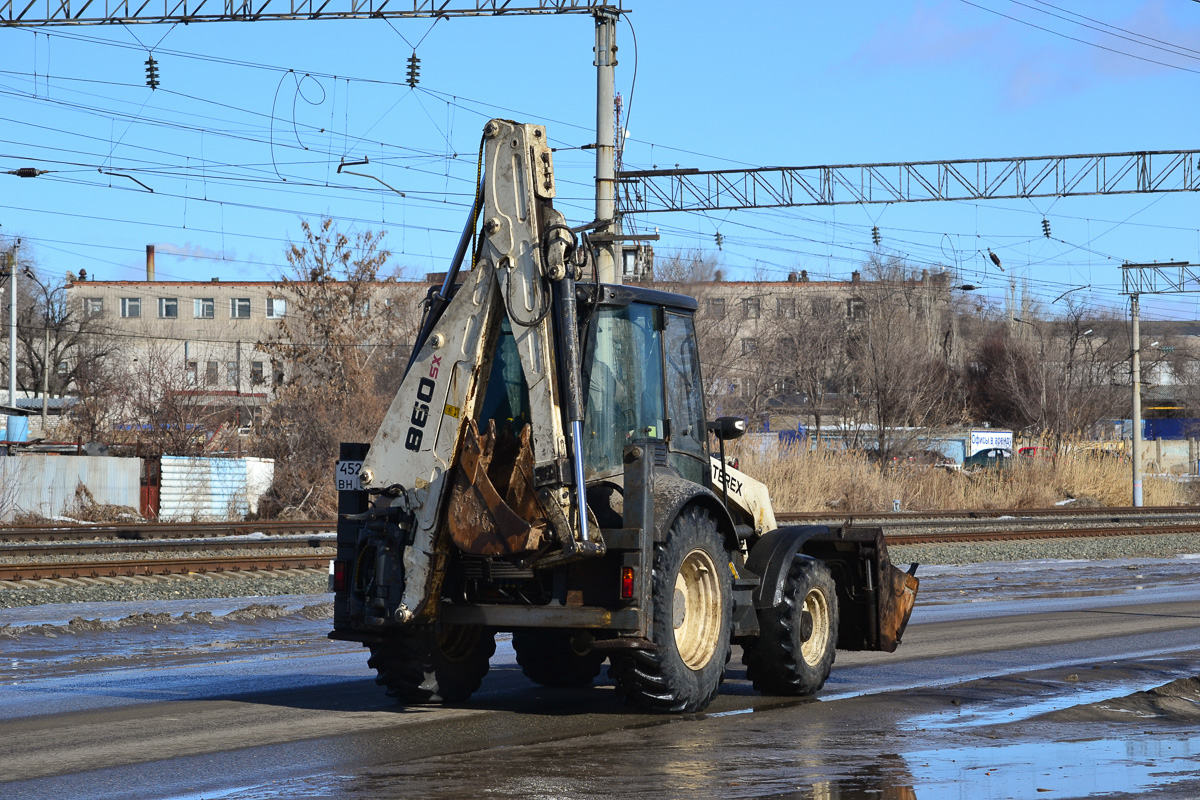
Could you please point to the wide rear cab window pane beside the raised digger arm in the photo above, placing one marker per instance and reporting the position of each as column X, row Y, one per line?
column 623, row 375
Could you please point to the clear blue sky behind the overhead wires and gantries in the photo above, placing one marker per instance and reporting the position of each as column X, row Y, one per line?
column 245, row 135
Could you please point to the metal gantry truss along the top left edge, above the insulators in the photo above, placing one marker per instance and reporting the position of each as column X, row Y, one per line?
column 40, row 14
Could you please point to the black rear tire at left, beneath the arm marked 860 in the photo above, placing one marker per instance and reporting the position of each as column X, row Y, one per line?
column 423, row 666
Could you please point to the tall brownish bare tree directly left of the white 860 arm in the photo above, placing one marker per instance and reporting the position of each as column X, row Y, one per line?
column 338, row 357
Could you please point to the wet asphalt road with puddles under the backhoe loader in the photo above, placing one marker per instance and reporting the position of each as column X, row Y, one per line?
column 280, row 712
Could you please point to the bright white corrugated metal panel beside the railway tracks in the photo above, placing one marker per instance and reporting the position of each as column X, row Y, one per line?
column 203, row 489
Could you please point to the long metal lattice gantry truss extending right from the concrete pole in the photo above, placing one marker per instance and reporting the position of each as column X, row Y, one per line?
column 982, row 179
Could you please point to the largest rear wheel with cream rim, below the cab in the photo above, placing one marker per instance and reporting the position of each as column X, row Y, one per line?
column 692, row 591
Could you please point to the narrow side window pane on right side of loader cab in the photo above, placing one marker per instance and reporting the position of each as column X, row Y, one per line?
column 686, row 398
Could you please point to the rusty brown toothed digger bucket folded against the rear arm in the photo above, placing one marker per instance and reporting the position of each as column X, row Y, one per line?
column 494, row 510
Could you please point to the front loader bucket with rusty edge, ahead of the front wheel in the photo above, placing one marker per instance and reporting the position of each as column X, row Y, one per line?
column 877, row 598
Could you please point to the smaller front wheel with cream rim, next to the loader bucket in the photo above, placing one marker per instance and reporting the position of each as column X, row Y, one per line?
column 799, row 639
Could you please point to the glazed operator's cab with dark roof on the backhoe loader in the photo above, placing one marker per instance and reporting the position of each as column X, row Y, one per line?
column 641, row 380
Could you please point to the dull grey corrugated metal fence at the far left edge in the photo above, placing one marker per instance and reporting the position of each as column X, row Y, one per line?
column 49, row 485
